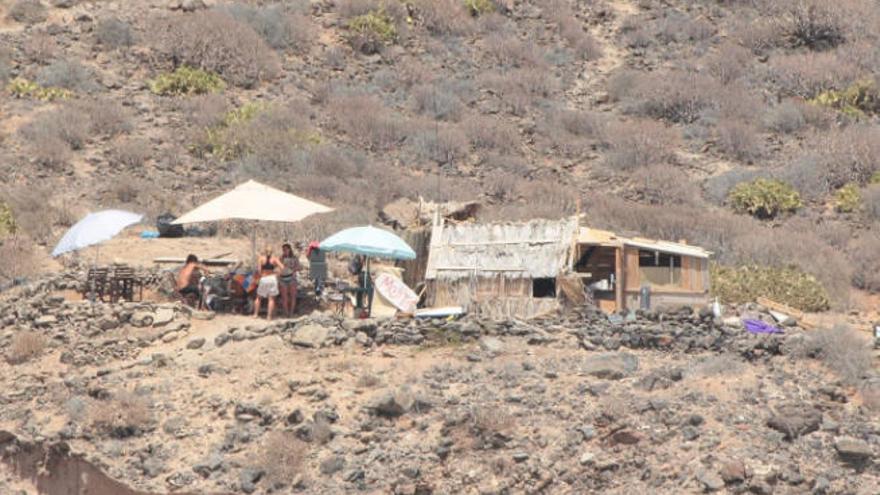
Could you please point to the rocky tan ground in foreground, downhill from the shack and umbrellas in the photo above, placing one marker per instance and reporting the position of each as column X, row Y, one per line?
column 166, row 399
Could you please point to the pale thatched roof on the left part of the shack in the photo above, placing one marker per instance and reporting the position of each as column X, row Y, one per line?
column 534, row 249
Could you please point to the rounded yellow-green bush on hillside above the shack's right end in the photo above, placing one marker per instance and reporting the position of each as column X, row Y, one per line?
column 764, row 198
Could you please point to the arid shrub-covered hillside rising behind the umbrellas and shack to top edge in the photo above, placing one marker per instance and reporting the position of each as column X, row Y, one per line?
column 748, row 127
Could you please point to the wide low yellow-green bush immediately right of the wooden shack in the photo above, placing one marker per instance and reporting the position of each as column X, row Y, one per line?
column 788, row 285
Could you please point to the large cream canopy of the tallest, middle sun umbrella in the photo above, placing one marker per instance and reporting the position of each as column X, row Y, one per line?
column 254, row 201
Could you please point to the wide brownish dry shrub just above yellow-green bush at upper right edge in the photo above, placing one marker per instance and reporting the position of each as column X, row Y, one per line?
column 808, row 74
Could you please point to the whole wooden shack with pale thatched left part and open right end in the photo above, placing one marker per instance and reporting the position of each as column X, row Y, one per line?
column 513, row 269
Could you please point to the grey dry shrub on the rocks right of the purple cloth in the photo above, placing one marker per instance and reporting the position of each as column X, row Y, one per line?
column 844, row 350
